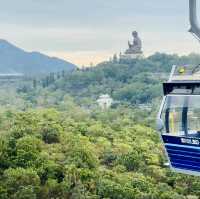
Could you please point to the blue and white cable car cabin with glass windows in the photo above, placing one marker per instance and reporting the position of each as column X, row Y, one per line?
column 179, row 119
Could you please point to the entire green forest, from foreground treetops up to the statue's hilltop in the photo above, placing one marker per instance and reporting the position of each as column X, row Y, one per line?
column 57, row 143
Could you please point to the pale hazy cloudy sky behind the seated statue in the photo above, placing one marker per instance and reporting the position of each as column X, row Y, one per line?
column 84, row 31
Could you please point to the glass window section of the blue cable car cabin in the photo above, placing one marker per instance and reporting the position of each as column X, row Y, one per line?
column 181, row 115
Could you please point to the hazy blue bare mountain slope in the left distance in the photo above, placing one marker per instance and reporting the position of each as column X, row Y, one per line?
column 16, row 60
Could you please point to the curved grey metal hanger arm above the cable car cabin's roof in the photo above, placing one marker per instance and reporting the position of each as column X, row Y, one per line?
column 195, row 28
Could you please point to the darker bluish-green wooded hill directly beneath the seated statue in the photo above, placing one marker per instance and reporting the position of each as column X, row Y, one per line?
column 128, row 82
